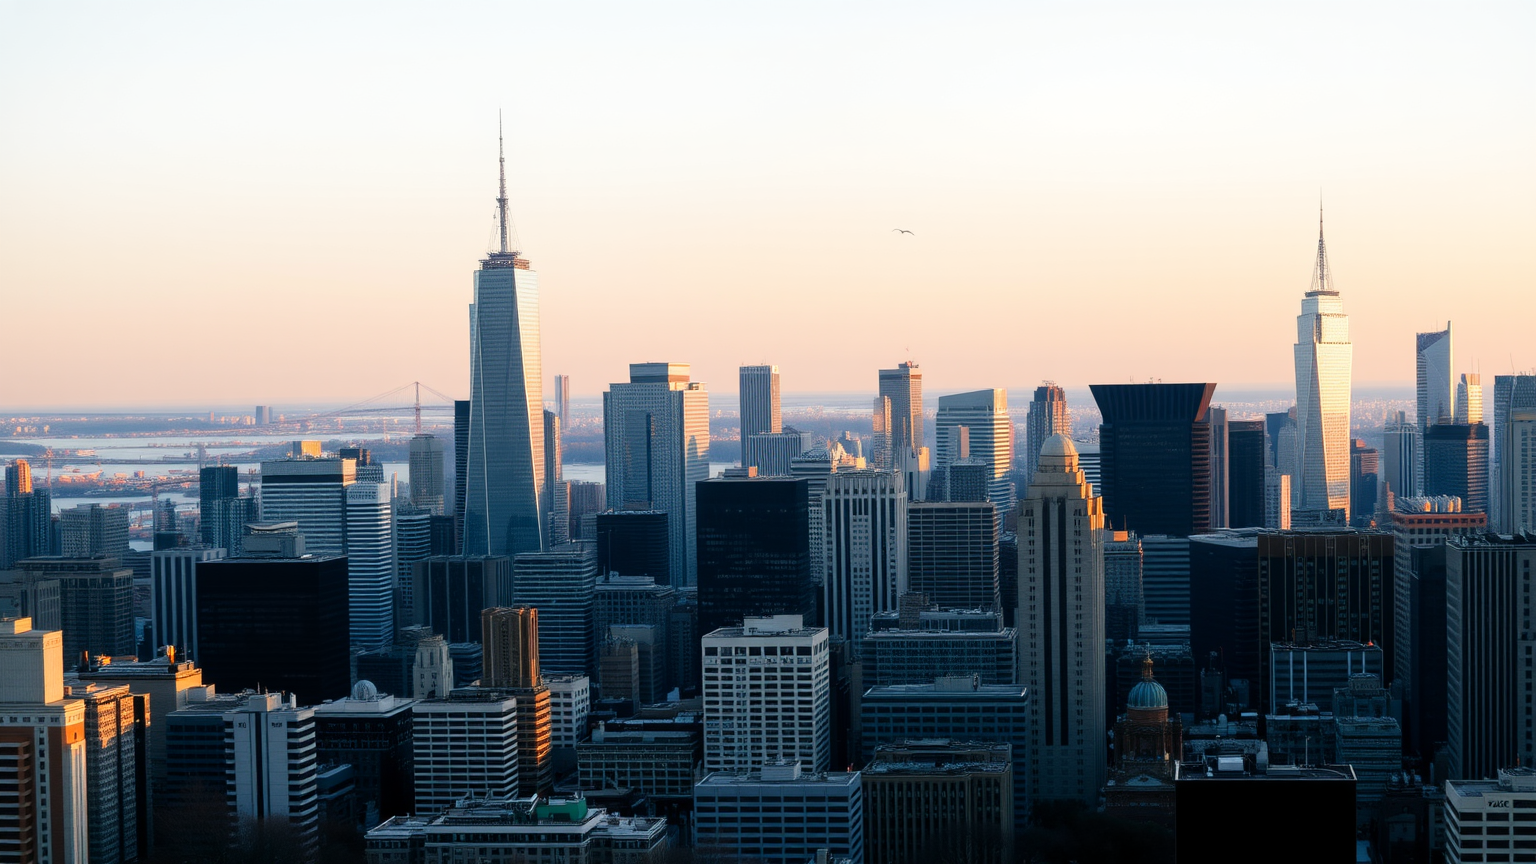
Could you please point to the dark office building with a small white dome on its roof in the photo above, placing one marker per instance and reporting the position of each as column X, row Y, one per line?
column 374, row 734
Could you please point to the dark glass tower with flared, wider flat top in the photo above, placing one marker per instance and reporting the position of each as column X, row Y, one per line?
column 1156, row 457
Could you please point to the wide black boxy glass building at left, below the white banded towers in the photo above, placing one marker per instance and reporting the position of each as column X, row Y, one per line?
column 277, row 625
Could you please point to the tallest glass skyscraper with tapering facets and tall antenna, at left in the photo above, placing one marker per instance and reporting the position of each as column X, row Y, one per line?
column 506, row 508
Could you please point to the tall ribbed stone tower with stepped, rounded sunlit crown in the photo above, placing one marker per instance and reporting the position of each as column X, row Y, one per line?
column 1062, row 626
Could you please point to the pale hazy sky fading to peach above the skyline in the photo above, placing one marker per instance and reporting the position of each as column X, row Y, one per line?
column 285, row 202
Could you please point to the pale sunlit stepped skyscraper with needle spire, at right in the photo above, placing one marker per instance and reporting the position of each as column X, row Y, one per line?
column 1325, row 359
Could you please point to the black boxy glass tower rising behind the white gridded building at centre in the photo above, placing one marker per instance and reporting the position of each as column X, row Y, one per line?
column 755, row 551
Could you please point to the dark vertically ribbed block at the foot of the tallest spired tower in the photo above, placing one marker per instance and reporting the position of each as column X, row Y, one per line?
column 449, row 594
